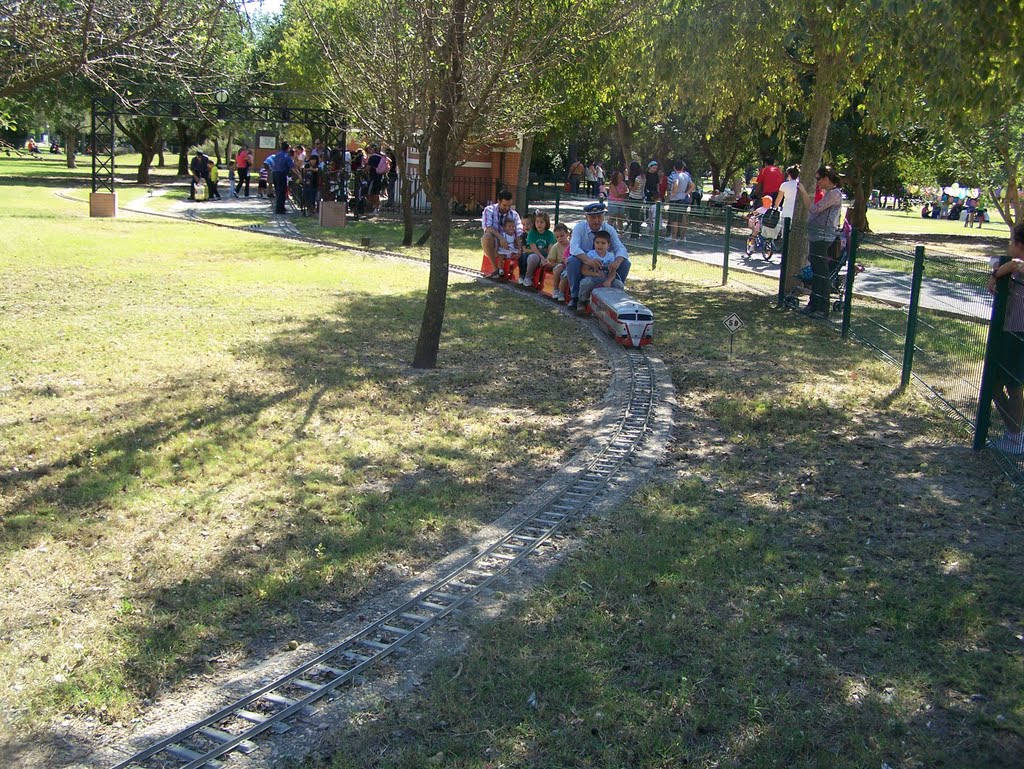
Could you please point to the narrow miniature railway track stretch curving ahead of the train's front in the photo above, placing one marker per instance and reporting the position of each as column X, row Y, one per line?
column 239, row 725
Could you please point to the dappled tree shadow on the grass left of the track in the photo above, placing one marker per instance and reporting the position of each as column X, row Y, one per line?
column 331, row 527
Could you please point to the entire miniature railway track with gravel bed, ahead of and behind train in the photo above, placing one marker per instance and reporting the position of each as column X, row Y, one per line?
column 275, row 707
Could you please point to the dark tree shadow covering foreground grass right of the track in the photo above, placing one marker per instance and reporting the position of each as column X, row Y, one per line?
column 706, row 629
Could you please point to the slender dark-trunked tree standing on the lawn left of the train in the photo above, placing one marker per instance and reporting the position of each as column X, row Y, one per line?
column 470, row 66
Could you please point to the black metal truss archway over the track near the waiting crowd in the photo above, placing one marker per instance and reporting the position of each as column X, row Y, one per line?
column 106, row 111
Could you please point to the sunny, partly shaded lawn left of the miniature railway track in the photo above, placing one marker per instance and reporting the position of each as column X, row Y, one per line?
column 210, row 440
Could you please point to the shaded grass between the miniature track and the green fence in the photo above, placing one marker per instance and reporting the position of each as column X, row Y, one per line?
column 822, row 575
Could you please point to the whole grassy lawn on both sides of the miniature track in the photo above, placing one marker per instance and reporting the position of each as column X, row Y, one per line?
column 210, row 443
